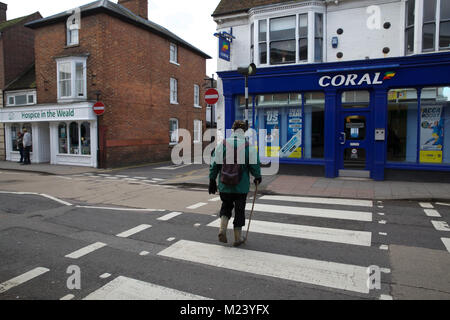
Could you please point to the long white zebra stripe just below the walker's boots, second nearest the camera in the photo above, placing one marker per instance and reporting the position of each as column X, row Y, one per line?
column 316, row 272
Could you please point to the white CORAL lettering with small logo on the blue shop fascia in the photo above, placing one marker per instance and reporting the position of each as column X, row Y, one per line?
column 353, row 79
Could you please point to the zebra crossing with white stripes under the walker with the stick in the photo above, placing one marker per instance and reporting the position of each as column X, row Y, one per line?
column 312, row 243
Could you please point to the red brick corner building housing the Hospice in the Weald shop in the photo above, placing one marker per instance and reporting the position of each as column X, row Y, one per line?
column 149, row 79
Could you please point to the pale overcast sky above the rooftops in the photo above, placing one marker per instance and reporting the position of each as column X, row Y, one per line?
column 190, row 20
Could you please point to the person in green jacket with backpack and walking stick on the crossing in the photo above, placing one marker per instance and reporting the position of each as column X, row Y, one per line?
column 234, row 179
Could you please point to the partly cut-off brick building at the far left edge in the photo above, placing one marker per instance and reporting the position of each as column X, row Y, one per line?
column 16, row 54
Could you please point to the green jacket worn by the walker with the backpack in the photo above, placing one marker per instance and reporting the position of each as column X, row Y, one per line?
column 255, row 169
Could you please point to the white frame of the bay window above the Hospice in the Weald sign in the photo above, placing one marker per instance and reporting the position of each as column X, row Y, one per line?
column 72, row 61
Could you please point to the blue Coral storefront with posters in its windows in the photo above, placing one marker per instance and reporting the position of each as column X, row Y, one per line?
column 366, row 116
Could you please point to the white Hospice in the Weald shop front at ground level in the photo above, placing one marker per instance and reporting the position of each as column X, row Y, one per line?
column 62, row 134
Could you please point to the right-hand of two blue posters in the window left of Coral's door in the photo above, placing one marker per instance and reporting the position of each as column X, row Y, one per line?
column 293, row 148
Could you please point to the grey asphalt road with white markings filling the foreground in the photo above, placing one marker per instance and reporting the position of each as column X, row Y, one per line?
column 179, row 254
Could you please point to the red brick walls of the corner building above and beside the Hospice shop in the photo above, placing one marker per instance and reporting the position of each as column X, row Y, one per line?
column 131, row 67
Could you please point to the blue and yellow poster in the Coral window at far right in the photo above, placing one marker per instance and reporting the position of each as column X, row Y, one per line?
column 431, row 134
